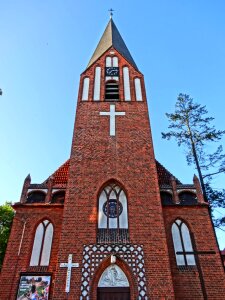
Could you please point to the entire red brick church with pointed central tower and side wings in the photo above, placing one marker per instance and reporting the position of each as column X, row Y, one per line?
column 112, row 222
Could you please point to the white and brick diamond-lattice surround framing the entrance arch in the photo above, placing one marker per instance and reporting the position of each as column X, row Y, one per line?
column 93, row 255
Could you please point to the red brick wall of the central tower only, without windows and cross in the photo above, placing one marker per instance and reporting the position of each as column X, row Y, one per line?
column 128, row 157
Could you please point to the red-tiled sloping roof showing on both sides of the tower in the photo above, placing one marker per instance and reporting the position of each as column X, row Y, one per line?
column 61, row 174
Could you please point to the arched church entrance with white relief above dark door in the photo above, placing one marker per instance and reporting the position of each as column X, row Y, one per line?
column 113, row 284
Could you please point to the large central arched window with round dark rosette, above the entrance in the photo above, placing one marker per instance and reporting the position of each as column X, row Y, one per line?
column 112, row 214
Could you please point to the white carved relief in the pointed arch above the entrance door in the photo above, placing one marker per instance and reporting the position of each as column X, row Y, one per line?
column 113, row 276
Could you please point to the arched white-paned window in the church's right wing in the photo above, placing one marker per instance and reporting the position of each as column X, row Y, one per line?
column 182, row 244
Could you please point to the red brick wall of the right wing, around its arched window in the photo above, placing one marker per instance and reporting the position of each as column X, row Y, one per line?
column 187, row 282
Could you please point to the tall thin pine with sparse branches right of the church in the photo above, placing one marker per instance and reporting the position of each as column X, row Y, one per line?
column 192, row 128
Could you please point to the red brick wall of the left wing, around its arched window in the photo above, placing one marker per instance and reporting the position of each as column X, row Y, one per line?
column 14, row 264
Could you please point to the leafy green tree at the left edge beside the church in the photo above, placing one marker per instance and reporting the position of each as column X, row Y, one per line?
column 6, row 218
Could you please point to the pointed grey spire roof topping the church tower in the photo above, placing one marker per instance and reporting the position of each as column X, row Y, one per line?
column 111, row 38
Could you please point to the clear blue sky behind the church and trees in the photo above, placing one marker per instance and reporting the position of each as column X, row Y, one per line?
column 178, row 45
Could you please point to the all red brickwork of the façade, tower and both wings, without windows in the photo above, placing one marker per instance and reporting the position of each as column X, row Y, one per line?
column 128, row 158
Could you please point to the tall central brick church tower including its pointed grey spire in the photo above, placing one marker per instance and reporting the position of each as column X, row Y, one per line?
column 113, row 204
